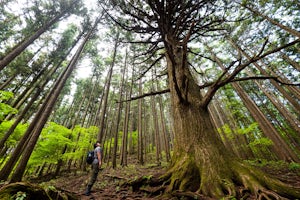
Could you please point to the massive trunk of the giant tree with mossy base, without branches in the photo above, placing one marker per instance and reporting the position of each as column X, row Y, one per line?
column 201, row 163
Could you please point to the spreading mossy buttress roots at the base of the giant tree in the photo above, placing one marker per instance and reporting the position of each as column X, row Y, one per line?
column 242, row 182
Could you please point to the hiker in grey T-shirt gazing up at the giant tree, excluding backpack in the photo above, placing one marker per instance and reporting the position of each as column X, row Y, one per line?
column 96, row 165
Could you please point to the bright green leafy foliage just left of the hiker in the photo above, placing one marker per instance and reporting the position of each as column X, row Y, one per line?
column 55, row 138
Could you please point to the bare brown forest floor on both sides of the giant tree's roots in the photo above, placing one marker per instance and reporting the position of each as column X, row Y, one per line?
column 109, row 185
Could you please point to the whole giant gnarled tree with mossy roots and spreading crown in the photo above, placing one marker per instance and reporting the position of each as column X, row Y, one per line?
column 200, row 162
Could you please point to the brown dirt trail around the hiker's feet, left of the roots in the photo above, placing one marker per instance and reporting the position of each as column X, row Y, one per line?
column 107, row 187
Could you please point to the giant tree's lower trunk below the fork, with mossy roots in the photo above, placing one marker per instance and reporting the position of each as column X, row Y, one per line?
column 203, row 165
